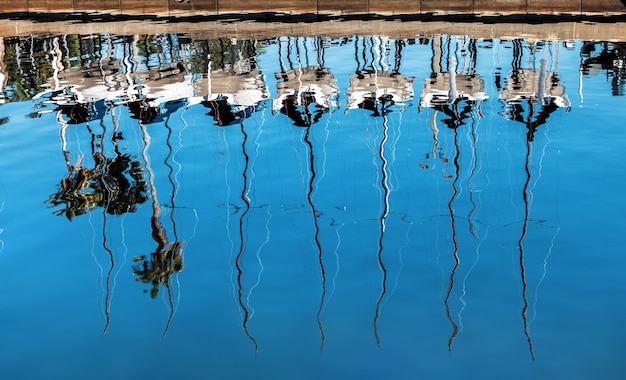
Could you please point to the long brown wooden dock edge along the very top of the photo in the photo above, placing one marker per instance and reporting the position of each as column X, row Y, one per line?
column 195, row 8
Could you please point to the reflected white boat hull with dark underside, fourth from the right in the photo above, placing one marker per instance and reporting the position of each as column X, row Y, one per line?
column 304, row 92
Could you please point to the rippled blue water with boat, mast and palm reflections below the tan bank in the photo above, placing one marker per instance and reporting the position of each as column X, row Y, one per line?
column 360, row 229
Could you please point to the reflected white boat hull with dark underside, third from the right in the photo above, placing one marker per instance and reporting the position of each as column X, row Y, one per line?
column 378, row 84
